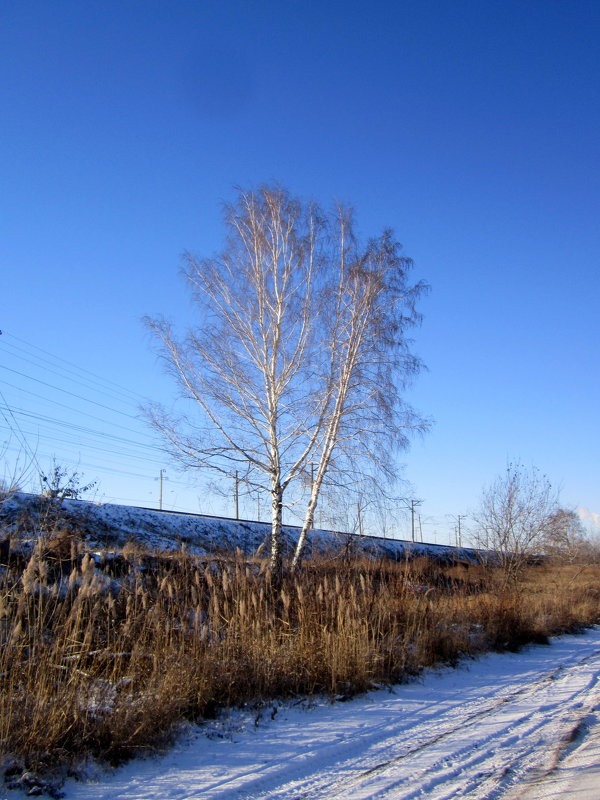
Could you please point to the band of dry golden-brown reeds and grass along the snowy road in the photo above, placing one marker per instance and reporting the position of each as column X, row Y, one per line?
column 105, row 657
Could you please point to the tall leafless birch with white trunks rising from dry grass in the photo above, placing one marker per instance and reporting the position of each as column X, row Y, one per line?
column 299, row 356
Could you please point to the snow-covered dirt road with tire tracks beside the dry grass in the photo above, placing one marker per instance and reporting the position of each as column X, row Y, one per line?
column 515, row 726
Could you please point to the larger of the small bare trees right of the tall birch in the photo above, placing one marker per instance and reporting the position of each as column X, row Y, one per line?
column 514, row 517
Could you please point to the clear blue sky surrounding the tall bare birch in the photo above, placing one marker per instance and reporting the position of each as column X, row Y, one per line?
column 471, row 128
